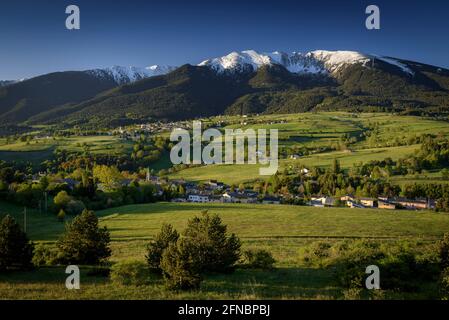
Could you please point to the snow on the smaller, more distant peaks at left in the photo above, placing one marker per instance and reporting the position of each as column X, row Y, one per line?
column 123, row 75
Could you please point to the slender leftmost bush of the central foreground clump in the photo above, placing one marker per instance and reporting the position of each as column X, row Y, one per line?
column 158, row 245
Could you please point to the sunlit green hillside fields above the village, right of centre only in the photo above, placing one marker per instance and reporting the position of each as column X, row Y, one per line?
column 324, row 130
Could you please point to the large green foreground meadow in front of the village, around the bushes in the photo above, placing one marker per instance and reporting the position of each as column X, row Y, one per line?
column 283, row 230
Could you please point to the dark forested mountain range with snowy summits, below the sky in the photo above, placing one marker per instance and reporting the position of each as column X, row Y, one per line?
column 242, row 82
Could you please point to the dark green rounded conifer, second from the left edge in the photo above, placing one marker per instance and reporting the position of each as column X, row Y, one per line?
column 84, row 242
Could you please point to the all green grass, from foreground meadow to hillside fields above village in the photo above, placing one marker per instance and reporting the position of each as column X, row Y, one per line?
column 283, row 230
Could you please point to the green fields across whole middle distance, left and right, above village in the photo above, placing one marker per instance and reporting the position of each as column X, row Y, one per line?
column 308, row 130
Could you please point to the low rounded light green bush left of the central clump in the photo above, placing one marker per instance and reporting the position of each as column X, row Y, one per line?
column 127, row 273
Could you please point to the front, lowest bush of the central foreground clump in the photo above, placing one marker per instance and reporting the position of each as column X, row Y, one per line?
column 180, row 266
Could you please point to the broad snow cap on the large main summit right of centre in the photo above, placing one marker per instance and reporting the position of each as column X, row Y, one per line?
column 314, row 62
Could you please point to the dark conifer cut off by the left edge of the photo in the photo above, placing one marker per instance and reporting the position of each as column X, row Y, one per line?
column 16, row 250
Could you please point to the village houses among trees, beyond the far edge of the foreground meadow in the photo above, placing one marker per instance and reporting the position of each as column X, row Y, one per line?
column 214, row 191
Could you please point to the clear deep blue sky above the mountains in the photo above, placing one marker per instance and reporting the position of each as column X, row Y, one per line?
column 33, row 38
